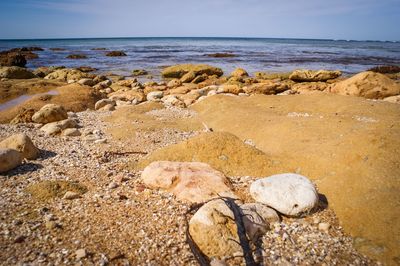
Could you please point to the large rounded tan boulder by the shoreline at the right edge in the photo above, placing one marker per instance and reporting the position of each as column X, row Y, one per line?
column 369, row 85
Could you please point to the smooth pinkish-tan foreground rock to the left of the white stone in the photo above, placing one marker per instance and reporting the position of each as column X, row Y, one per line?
column 189, row 181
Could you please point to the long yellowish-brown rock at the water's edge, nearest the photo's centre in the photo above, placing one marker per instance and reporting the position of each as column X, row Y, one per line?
column 178, row 71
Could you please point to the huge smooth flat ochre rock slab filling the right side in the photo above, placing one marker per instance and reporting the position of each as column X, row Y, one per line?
column 347, row 145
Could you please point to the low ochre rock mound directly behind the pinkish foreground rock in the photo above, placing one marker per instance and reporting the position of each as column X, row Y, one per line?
column 221, row 150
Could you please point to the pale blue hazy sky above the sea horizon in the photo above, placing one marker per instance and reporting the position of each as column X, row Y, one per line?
column 330, row 19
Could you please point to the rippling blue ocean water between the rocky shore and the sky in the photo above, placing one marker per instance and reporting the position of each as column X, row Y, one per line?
column 253, row 54
